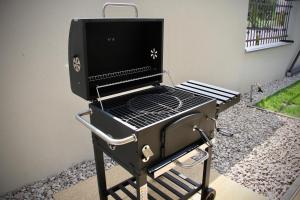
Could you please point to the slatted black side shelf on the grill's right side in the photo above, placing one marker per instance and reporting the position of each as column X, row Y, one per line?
column 225, row 98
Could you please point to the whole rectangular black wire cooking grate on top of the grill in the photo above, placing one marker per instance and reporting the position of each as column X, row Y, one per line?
column 147, row 109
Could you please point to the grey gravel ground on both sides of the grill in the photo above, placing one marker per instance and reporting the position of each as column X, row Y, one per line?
column 263, row 154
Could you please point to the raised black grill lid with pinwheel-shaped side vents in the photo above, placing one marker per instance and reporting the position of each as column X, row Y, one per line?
column 114, row 55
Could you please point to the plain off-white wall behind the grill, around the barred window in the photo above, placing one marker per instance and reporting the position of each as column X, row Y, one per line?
column 204, row 40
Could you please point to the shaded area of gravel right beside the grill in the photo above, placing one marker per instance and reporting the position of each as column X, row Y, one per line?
column 250, row 127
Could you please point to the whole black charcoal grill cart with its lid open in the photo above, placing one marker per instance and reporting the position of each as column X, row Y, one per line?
column 147, row 127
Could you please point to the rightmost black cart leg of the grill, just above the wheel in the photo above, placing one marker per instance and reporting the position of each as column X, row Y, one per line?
column 206, row 173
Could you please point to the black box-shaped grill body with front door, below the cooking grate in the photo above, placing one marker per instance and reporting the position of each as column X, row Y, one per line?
column 164, row 137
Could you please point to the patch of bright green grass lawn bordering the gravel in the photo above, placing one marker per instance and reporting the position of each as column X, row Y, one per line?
column 286, row 101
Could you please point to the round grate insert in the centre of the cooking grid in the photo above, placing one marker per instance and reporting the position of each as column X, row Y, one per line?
column 154, row 104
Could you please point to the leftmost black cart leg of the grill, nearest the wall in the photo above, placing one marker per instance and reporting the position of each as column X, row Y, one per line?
column 100, row 172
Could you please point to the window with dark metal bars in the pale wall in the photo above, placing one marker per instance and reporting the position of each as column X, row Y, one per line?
column 267, row 22
